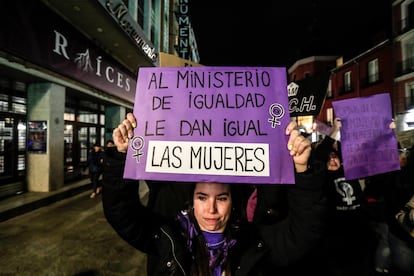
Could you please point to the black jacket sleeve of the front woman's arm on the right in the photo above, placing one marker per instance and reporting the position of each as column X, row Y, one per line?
column 304, row 227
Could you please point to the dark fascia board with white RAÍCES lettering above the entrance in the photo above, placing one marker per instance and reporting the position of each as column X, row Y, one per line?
column 52, row 43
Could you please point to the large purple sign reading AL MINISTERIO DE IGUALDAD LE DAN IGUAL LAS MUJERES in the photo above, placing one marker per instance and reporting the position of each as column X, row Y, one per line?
column 211, row 124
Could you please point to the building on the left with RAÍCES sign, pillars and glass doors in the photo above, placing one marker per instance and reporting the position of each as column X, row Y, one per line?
column 68, row 74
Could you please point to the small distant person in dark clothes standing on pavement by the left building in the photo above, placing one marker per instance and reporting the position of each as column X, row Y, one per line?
column 94, row 164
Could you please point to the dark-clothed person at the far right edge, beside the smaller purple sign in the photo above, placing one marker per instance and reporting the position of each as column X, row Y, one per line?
column 386, row 198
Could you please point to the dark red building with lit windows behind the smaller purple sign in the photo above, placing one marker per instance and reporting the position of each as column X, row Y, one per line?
column 367, row 74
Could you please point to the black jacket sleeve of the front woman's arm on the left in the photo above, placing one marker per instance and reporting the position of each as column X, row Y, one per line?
column 122, row 207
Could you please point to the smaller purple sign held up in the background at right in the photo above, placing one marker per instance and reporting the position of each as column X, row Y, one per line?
column 368, row 145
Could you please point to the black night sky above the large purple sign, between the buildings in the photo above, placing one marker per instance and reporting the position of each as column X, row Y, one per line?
column 277, row 33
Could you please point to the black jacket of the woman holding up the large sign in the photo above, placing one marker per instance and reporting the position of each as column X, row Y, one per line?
column 259, row 249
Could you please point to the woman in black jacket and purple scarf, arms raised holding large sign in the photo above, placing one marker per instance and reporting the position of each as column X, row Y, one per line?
column 210, row 237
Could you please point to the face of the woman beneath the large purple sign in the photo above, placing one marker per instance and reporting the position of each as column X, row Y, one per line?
column 212, row 206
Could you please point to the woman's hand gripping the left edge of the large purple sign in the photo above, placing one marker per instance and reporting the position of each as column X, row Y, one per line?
column 124, row 132
